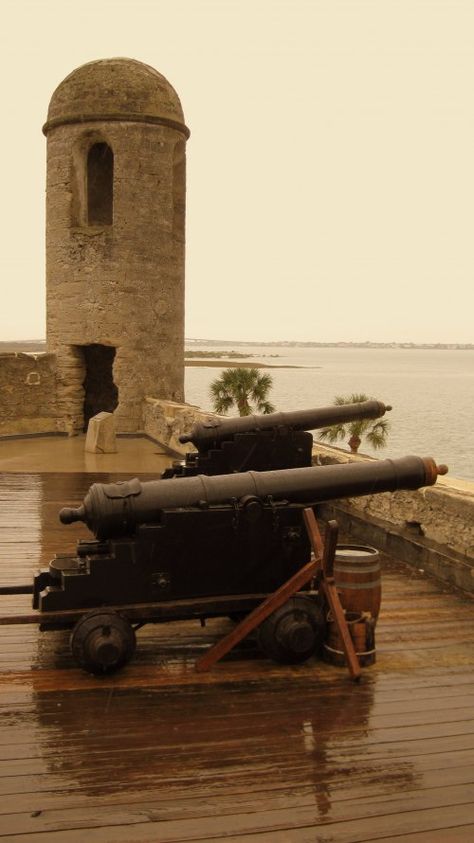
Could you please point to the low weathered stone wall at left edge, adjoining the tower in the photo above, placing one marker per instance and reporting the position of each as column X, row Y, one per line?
column 27, row 394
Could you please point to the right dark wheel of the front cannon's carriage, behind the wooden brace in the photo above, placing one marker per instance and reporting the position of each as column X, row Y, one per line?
column 294, row 632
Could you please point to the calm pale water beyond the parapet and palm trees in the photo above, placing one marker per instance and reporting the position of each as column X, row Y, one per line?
column 432, row 393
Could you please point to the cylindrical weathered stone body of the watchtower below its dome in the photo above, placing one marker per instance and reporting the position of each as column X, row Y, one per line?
column 121, row 285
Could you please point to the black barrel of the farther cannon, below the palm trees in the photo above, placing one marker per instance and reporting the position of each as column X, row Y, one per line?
column 210, row 434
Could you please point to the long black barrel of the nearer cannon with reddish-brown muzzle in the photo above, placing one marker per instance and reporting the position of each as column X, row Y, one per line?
column 116, row 509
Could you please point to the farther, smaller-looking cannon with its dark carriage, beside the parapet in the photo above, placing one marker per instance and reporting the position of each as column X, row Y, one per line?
column 261, row 443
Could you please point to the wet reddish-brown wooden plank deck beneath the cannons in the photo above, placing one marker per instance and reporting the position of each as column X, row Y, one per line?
column 249, row 752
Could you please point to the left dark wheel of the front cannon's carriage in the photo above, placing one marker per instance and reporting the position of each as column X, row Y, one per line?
column 102, row 642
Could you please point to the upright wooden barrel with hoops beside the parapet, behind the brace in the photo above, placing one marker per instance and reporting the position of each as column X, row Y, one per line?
column 358, row 579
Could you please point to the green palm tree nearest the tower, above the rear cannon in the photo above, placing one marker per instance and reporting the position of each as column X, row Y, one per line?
column 240, row 387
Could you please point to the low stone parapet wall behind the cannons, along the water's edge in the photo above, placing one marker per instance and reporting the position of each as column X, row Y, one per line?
column 432, row 528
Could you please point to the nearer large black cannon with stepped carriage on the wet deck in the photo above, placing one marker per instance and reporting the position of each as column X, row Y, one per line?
column 201, row 547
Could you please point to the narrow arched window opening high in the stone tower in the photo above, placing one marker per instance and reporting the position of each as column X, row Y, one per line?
column 100, row 184
